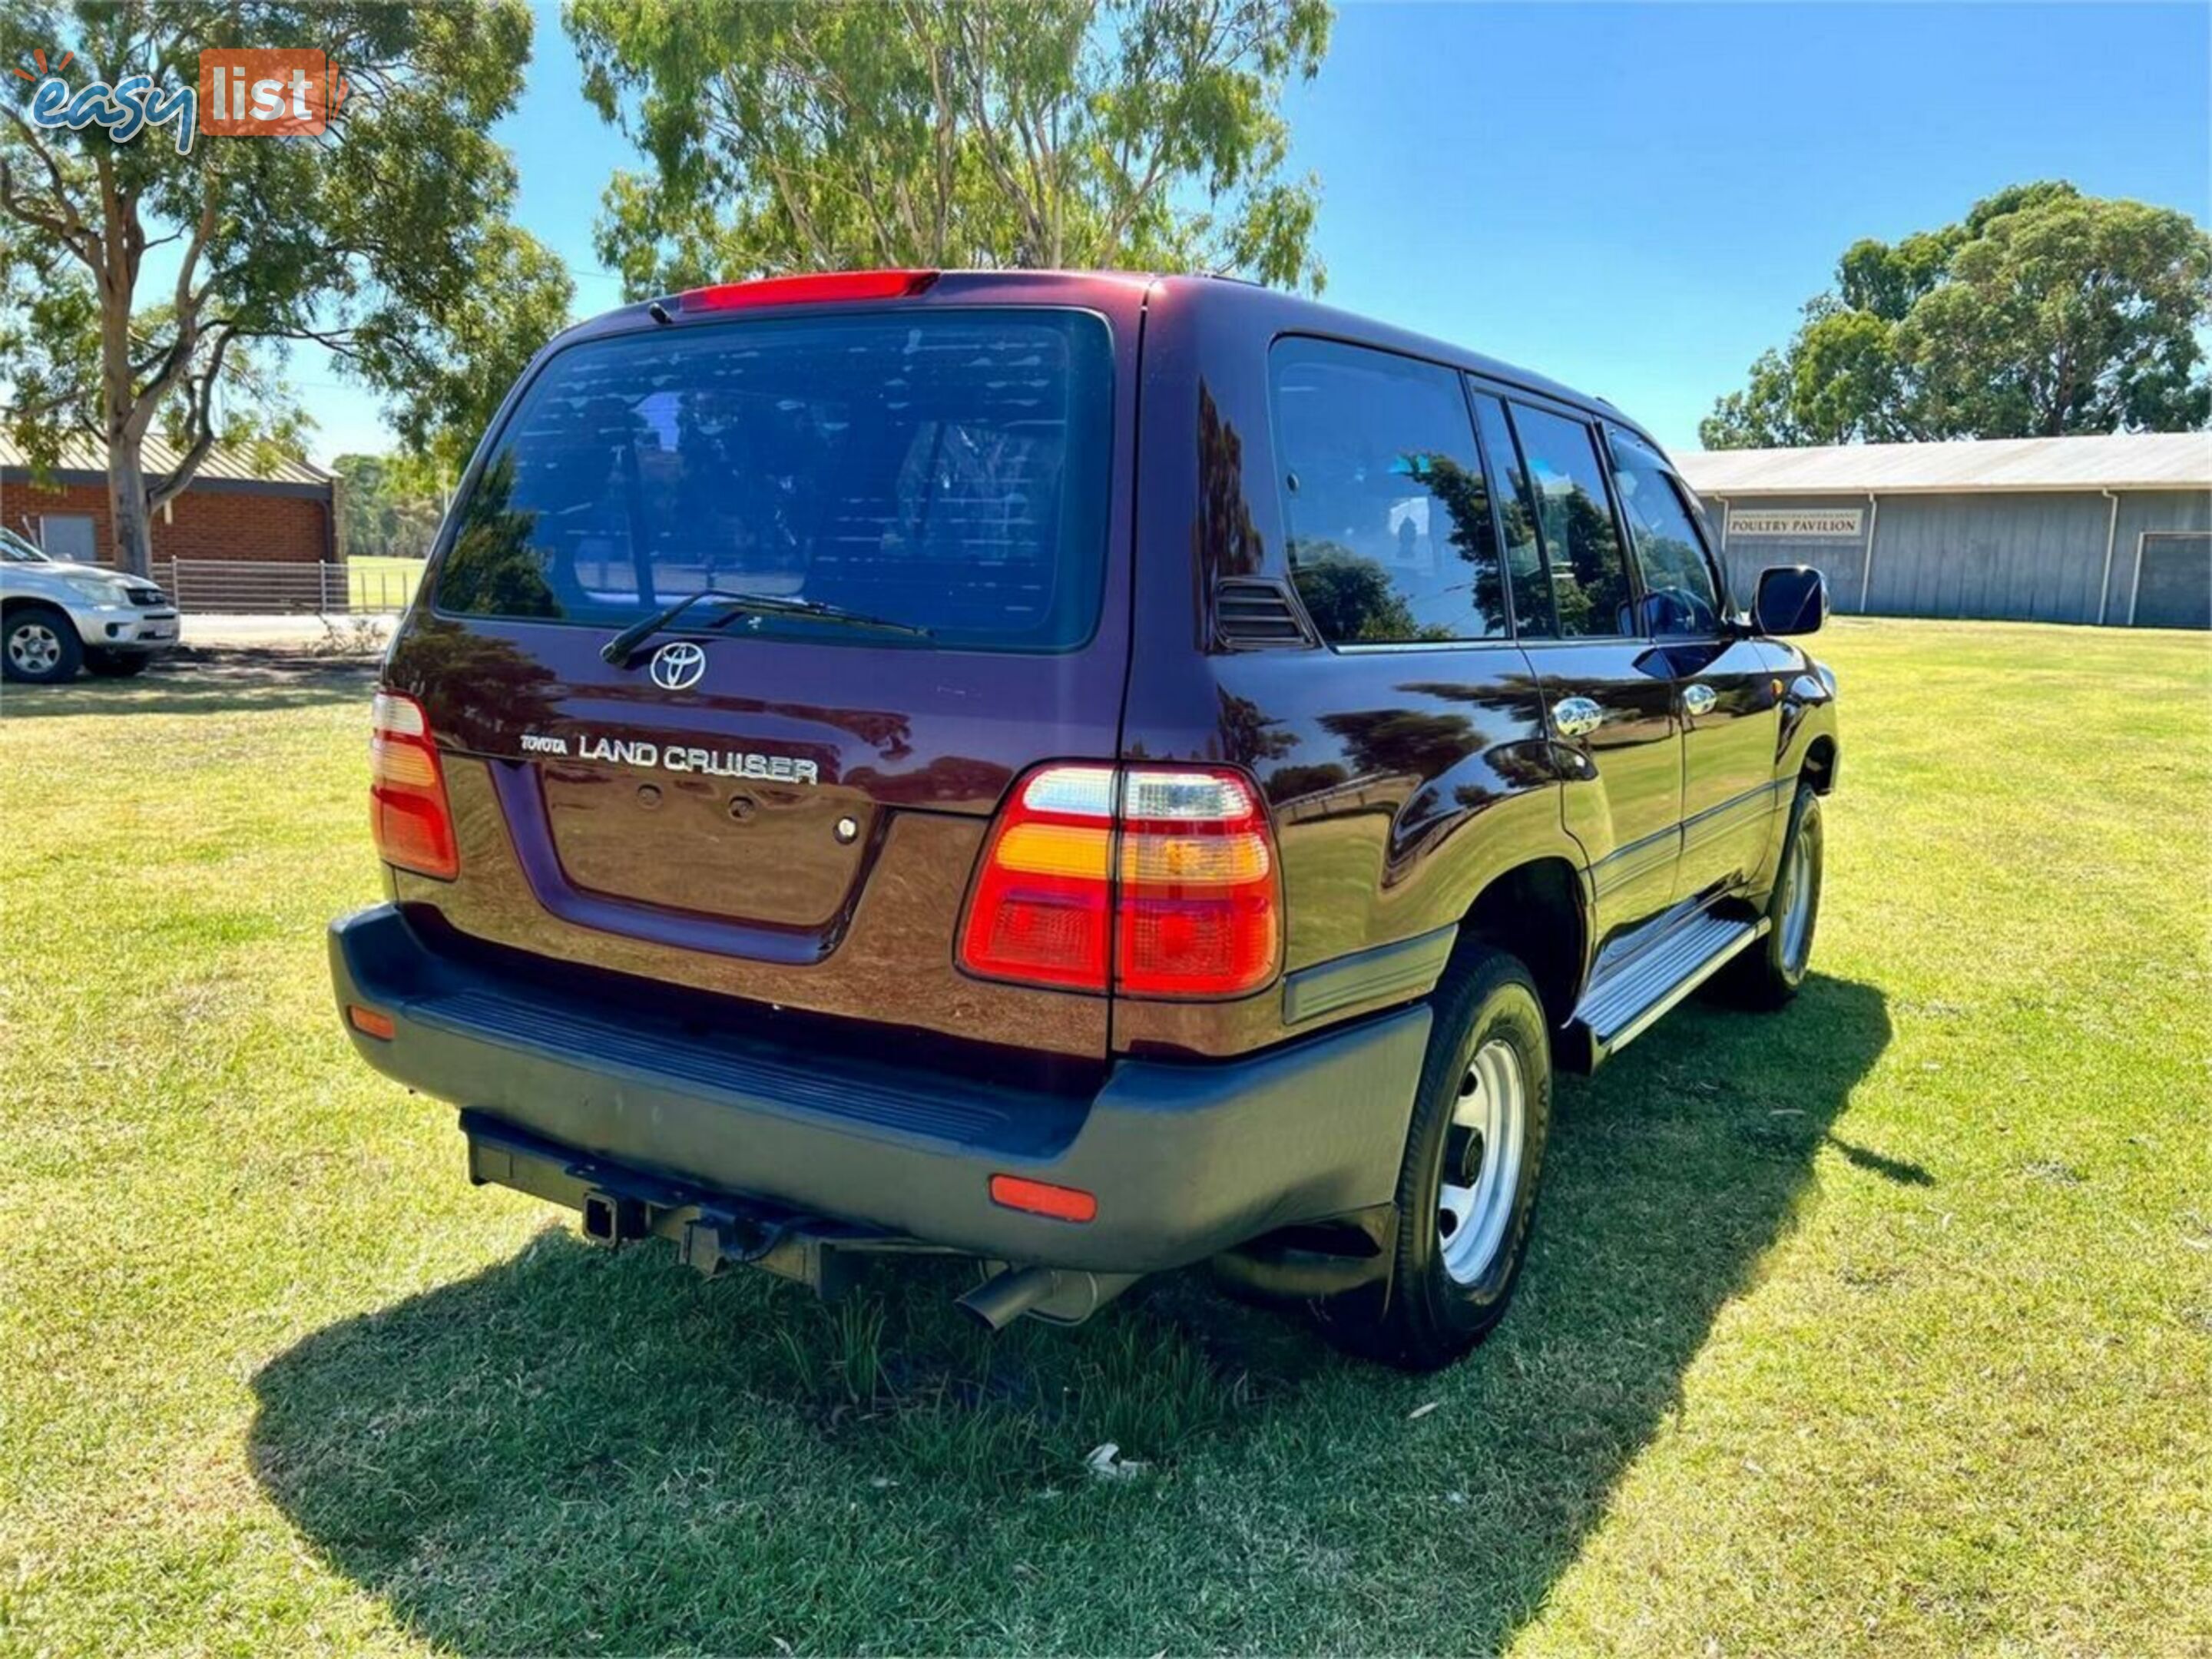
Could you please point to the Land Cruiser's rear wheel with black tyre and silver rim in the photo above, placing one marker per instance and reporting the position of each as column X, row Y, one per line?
column 1470, row 1176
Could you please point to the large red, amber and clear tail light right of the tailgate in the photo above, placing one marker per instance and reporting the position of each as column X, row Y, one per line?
column 1158, row 881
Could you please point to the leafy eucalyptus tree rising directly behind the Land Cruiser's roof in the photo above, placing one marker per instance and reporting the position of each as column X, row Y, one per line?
column 1081, row 134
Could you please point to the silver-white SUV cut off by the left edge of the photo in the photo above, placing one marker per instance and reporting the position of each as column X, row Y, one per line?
column 56, row 618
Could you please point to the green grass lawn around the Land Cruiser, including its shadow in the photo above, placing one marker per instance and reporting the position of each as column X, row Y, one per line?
column 1877, row 1326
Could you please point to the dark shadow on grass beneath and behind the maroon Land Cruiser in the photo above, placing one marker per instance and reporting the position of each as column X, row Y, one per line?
column 585, row 1452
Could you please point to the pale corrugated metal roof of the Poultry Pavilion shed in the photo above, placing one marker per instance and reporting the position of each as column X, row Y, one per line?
column 2122, row 461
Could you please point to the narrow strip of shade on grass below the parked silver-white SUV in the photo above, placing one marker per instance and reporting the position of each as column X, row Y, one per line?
column 209, row 680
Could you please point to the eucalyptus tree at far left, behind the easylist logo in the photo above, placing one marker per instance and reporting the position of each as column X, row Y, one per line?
column 154, row 280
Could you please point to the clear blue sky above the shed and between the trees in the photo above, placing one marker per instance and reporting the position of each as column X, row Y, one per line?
column 1634, row 200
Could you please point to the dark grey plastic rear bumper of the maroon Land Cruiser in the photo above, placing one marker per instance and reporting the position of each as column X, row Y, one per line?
column 1187, row 1160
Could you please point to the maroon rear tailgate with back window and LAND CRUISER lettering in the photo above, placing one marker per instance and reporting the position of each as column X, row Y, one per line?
column 731, row 789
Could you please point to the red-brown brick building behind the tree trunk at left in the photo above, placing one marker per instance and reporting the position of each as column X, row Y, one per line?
column 231, row 512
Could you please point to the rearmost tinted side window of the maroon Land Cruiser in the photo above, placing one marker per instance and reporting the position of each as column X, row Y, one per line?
column 1390, row 519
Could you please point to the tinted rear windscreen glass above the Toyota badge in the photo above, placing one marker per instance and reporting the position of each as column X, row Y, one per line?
column 943, row 470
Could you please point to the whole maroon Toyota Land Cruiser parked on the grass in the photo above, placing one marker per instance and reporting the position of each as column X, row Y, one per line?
column 1089, row 773
